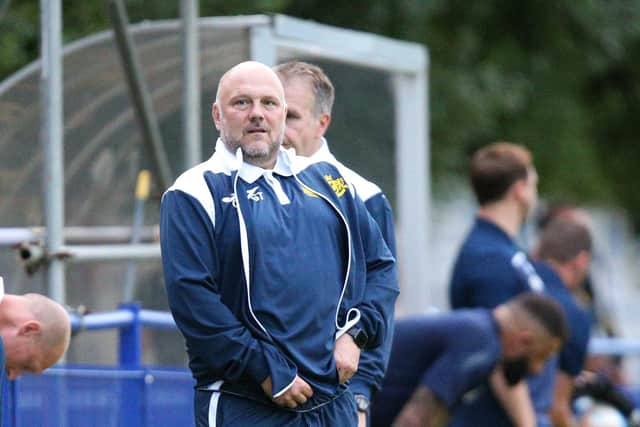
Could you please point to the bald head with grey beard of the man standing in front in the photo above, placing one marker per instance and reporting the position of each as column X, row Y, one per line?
column 250, row 112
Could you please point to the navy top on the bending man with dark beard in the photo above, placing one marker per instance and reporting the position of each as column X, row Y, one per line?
column 449, row 353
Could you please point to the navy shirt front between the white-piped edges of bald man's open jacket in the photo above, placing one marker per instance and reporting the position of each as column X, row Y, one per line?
column 279, row 278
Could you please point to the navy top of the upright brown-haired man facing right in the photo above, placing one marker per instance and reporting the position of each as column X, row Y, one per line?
column 490, row 269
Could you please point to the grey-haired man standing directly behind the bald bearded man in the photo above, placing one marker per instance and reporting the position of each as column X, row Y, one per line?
column 309, row 94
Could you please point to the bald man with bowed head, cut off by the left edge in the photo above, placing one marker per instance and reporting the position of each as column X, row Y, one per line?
column 35, row 333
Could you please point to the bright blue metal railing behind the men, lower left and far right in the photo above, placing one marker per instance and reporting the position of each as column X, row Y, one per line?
column 131, row 395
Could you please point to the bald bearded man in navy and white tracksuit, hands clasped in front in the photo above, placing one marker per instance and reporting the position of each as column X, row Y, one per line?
column 275, row 273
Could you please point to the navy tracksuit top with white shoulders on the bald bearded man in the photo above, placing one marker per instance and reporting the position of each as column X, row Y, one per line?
column 247, row 310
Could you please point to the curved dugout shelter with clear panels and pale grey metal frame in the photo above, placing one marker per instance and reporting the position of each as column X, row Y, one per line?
column 72, row 148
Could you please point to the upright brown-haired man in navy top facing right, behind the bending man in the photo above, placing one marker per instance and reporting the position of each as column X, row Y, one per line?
column 490, row 267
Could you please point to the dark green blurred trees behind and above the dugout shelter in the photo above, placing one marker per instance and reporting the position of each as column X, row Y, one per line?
column 556, row 75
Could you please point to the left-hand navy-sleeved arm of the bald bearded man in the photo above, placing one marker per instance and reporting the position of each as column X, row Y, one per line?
column 217, row 342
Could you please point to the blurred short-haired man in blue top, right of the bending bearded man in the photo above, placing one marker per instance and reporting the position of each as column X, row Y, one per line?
column 564, row 253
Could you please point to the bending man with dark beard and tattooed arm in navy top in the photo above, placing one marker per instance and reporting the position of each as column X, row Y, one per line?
column 436, row 359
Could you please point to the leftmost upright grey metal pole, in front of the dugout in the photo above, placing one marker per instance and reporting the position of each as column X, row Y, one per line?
column 51, row 137
